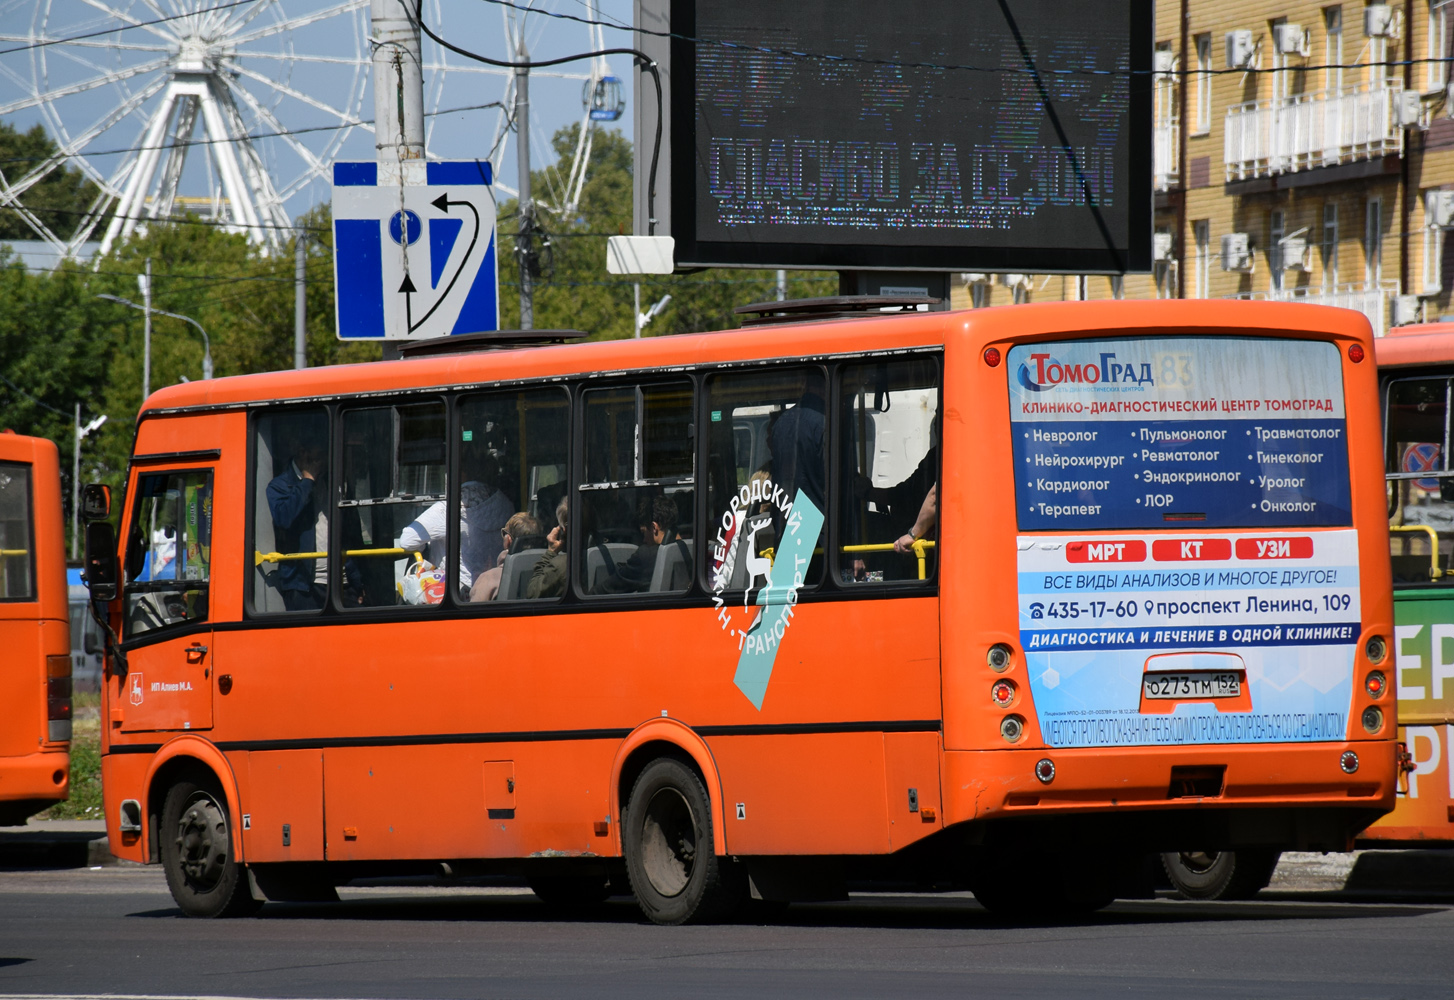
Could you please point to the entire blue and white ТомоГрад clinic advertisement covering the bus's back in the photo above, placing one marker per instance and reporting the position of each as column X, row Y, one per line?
column 1202, row 585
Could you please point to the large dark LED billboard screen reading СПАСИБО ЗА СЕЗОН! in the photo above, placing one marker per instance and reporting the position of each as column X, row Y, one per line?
column 924, row 134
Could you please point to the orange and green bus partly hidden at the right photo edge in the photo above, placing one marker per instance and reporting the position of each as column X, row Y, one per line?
column 1417, row 368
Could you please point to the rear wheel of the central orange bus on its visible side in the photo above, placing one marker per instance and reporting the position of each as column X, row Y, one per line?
column 668, row 834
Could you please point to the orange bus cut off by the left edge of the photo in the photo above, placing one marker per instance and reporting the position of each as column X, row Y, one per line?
column 36, row 671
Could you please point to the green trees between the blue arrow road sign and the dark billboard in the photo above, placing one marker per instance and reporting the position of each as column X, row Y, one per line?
column 579, row 293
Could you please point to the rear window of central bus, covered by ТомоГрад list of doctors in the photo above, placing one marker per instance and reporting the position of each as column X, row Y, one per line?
column 1178, row 432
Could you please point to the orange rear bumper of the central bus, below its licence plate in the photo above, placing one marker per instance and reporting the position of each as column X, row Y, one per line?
column 1003, row 784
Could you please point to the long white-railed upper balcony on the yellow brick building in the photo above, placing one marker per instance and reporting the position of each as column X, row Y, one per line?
column 1312, row 130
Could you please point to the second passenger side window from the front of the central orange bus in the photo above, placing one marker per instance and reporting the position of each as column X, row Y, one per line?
column 392, row 507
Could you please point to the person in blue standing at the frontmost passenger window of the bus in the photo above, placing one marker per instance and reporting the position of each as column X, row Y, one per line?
column 300, row 527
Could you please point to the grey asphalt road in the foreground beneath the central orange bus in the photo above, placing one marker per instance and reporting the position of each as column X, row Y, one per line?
column 117, row 932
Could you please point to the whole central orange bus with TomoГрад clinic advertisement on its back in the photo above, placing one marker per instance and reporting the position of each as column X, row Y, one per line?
column 956, row 598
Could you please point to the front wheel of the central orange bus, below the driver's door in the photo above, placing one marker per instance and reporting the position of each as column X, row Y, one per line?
column 197, row 854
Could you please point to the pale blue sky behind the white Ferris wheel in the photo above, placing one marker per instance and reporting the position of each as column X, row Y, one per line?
column 306, row 79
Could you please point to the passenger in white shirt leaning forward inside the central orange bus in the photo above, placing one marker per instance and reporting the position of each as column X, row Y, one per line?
column 483, row 512
